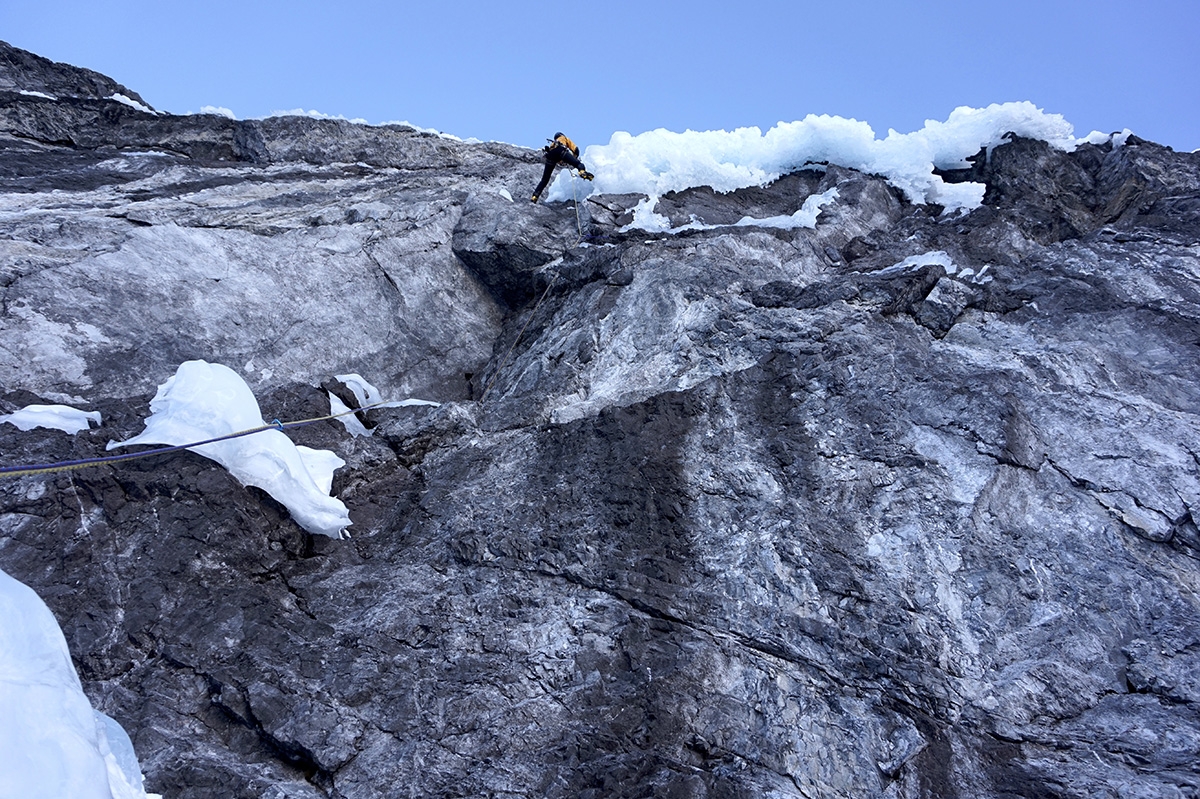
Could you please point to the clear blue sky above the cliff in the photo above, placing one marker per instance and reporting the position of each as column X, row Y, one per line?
column 519, row 71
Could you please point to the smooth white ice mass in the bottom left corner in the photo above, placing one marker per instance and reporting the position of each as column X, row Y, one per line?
column 55, row 744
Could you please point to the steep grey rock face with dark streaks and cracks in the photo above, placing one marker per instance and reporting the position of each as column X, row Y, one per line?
column 899, row 507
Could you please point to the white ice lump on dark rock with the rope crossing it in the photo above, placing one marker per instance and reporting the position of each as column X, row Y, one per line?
column 205, row 401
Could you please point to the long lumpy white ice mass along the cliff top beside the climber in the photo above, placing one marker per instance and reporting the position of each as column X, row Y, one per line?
column 663, row 161
